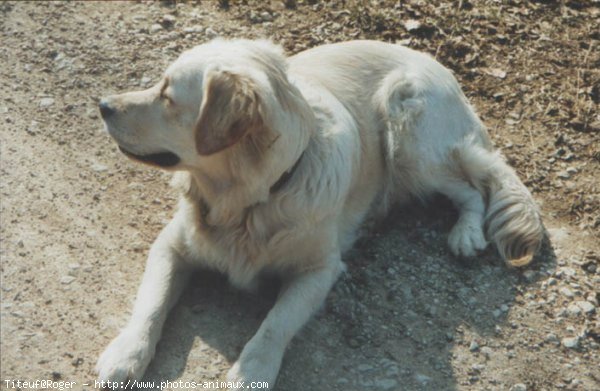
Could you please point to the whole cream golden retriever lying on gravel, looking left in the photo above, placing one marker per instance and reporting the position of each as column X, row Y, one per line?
column 280, row 159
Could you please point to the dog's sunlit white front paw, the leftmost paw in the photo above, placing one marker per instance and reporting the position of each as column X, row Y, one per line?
column 125, row 358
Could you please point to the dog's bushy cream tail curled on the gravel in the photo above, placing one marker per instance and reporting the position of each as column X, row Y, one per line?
column 512, row 219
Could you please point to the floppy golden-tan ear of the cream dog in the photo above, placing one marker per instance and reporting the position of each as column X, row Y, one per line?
column 229, row 110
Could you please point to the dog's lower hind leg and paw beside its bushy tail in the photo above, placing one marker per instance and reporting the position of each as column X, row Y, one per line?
column 467, row 236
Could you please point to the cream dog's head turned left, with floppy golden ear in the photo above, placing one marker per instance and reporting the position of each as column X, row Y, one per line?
column 216, row 98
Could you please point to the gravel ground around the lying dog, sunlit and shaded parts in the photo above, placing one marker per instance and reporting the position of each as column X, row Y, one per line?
column 77, row 217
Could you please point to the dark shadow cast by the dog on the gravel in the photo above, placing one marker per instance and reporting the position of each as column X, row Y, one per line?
column 394, row 321
